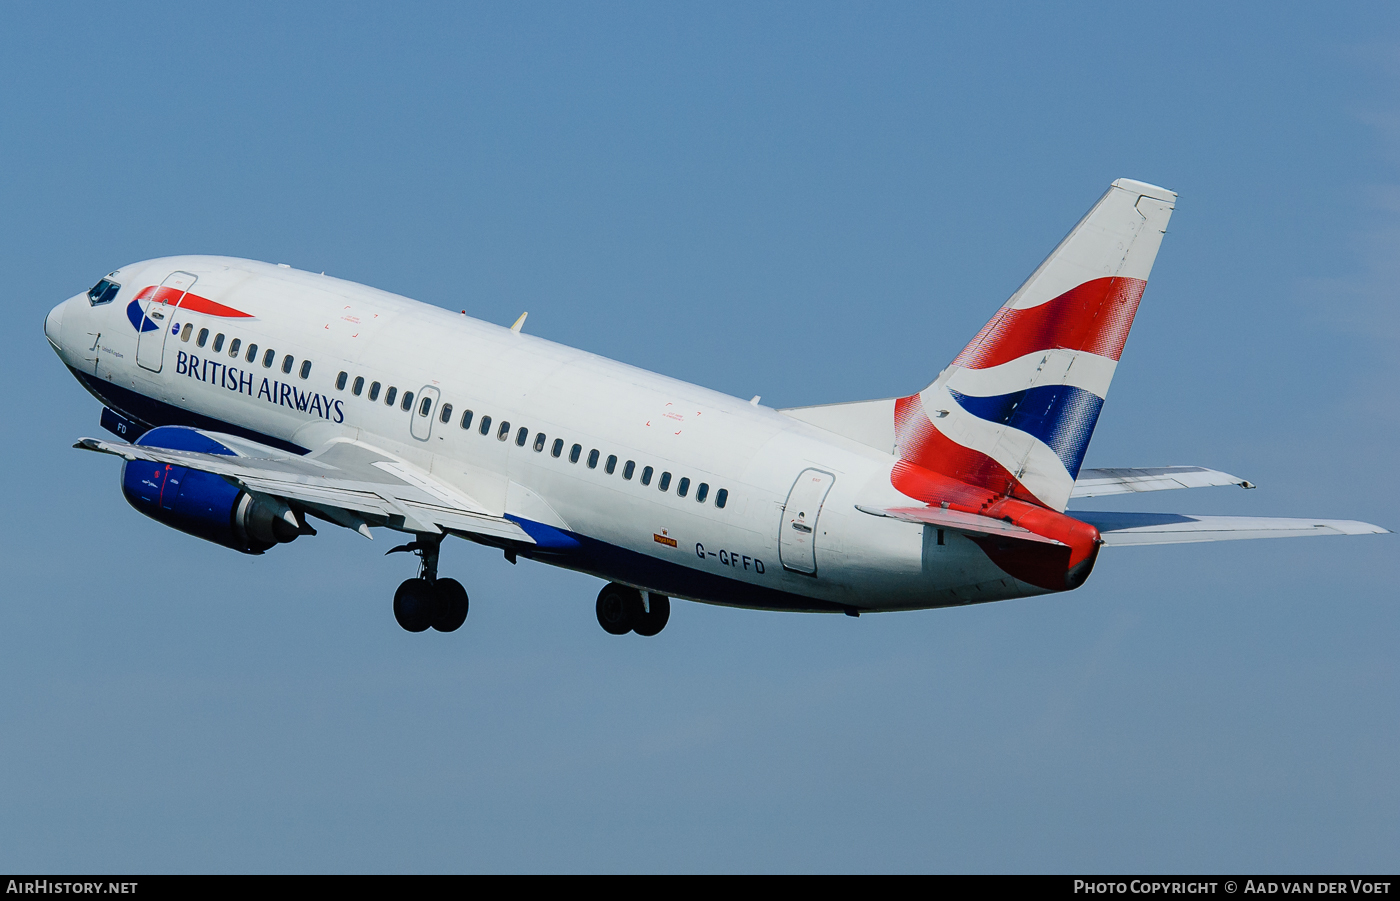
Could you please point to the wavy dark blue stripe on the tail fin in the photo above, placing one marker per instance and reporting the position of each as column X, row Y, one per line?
column 1062, row 416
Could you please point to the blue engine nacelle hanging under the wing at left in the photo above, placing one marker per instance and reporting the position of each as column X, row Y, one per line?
column 199, row 503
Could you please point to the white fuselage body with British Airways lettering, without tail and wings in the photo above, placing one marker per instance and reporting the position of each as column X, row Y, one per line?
column 633, row 534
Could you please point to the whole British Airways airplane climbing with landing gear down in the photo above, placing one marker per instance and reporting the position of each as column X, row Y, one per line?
column 251, row 399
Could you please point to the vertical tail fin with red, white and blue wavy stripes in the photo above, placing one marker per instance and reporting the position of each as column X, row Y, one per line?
column 1016, row 411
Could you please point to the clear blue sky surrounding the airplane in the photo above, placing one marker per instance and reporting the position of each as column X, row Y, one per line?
column 806, row 202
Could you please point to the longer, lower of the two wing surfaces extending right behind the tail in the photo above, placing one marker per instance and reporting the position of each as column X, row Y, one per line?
column 1179, row 530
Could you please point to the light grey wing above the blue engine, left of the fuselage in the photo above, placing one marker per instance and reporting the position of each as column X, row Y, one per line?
column 348, row 482
